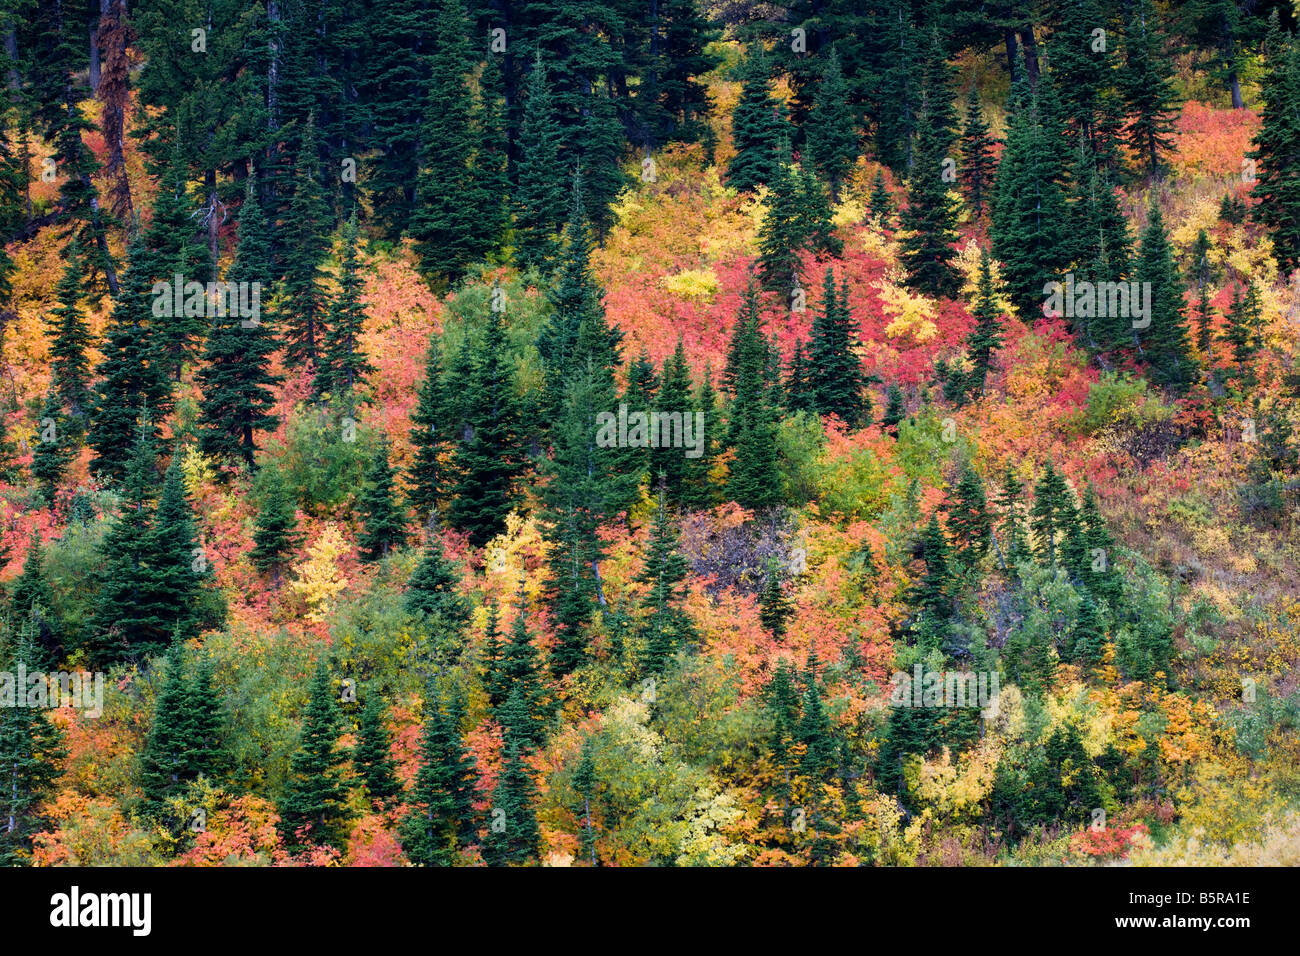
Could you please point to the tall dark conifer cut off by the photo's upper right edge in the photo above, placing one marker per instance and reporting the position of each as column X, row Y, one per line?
column 1277, row 148
